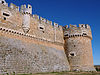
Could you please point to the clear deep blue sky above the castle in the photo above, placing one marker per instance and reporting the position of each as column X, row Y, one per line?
column 65, row 12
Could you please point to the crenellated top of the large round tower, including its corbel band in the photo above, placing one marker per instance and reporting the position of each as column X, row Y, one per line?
column 74, row 30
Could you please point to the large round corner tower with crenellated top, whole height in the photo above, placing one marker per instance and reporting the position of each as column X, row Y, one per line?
column 78, row 47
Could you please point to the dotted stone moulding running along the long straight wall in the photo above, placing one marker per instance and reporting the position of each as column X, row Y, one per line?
column 28, row 35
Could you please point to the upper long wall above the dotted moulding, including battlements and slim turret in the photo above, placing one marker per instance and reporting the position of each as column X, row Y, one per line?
column 29, row 24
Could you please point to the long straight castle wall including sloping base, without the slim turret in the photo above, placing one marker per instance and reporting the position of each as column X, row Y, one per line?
column 33, row 52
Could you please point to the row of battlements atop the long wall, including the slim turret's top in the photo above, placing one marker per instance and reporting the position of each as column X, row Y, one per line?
column 28, row 10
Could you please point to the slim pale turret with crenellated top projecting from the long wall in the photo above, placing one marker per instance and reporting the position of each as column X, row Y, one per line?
column 26, row 17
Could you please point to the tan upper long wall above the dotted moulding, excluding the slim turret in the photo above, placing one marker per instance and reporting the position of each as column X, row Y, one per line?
column 38, row 27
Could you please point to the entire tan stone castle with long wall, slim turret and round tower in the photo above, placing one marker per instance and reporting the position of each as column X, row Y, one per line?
column 31, row 44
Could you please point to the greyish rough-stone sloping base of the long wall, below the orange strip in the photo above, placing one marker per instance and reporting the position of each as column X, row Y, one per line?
column 21, row 57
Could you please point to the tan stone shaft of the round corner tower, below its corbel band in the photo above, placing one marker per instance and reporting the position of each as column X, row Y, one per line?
column 79, row 53
